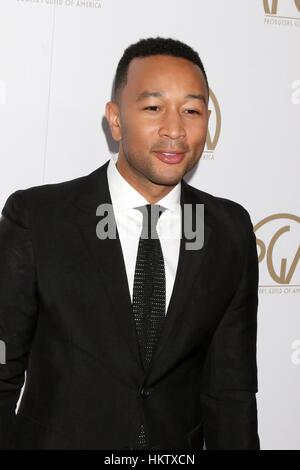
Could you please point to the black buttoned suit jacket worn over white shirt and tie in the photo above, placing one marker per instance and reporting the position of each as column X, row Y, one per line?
column 66, row 319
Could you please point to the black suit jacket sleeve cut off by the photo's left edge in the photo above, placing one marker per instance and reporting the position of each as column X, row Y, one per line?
column 18, row 308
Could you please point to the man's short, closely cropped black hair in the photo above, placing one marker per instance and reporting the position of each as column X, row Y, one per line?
column 148, row 47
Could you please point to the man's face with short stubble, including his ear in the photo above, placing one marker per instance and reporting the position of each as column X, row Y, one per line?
column 163, row 109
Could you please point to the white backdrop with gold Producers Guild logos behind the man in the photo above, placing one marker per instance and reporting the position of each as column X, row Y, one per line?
column 57, row 62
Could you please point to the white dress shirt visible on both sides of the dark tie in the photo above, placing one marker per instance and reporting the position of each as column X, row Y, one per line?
column 129, row 224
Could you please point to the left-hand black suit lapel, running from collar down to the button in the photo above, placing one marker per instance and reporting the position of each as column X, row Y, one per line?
column 107, row 256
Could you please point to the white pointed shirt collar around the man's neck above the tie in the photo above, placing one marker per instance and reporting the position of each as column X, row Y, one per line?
column 124, row 196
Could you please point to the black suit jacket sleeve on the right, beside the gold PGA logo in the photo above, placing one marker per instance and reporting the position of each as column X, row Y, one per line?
column 228, row 395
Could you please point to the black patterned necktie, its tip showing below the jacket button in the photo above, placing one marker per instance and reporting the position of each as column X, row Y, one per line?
column 149, row 292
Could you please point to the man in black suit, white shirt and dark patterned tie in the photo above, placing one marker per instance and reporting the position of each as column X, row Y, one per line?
column 127, row 343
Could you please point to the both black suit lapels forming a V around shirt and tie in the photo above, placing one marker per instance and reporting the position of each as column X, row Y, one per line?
column 109, row 262
